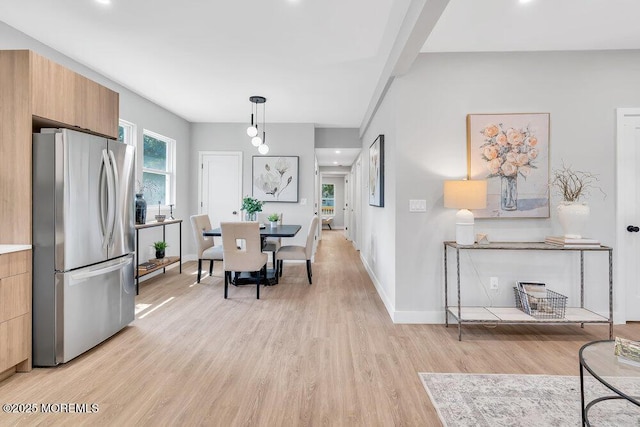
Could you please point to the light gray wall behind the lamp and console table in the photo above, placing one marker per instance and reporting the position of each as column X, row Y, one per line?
column 423, row 119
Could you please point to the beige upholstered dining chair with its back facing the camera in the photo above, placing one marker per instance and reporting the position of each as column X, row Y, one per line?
column 248, row 257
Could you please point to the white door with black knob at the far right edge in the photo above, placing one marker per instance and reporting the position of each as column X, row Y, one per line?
column 628, row 213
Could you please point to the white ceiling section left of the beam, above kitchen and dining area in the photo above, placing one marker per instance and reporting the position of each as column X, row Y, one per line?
column 314, row 61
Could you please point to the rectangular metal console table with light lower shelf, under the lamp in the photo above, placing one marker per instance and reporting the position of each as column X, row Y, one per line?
column 512, row 315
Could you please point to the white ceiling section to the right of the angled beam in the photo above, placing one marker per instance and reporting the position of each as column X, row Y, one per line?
column 514, row 25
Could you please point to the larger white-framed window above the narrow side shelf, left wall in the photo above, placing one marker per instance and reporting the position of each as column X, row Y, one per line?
column 158, row 168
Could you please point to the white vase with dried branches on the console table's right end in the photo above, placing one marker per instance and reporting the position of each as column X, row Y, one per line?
column 573, row 186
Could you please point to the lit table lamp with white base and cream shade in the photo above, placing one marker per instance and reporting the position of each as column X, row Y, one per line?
column 465, row 195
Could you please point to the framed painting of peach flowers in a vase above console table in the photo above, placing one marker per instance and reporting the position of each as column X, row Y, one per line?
column 510, row 151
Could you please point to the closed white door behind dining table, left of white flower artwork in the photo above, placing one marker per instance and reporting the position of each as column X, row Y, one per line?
column 221, row 185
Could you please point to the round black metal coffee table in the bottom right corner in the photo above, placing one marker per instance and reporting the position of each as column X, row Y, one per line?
column 599, row 360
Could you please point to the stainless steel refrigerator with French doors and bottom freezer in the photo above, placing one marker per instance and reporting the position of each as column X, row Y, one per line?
column 83, row 236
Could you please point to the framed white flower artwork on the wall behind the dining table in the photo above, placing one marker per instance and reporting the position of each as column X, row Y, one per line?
column 275, row 178
